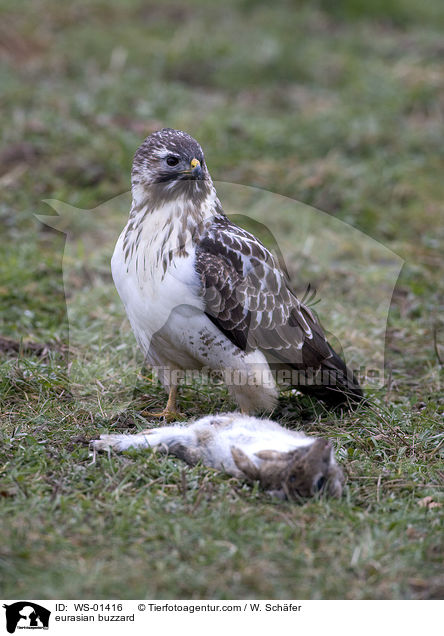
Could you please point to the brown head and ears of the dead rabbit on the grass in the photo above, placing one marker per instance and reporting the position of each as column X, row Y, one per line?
column 296, row 474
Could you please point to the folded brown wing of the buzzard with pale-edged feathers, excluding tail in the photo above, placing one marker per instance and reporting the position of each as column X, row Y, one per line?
column 248, row 297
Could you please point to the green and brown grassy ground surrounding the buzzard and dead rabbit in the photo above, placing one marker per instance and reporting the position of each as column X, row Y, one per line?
column 338, row 108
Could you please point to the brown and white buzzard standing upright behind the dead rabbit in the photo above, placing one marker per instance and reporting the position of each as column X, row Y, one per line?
column 202, row 293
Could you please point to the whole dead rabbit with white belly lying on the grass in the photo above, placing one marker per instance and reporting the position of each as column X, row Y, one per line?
column 287, row 463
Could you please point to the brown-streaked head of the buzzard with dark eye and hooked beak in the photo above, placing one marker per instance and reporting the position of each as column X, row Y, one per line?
column 167, row 164
